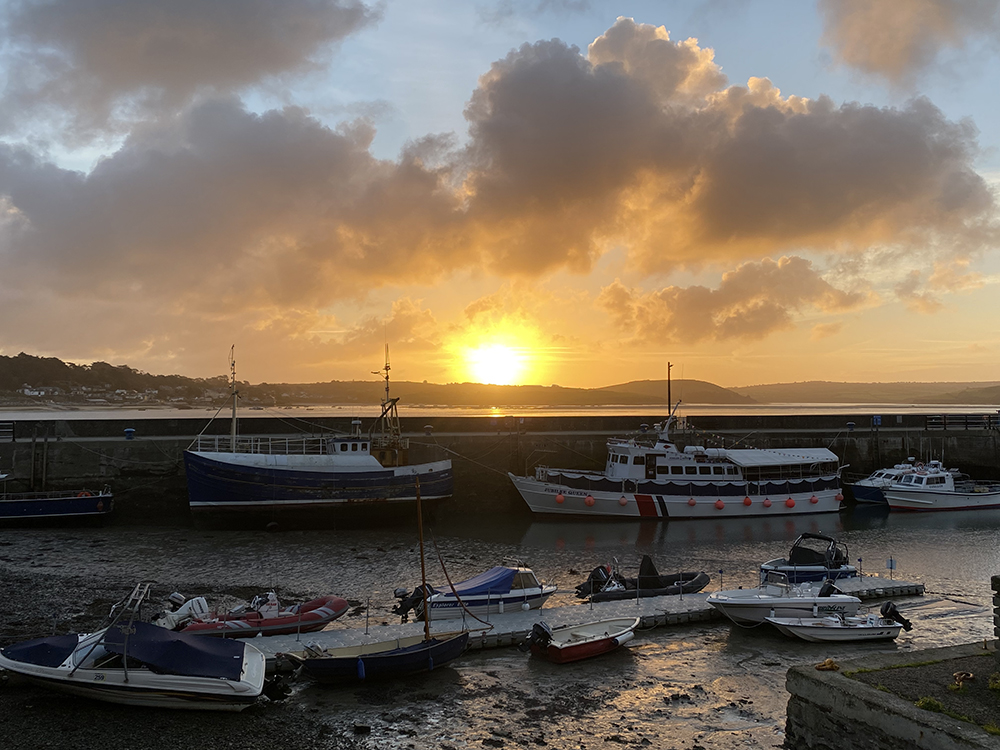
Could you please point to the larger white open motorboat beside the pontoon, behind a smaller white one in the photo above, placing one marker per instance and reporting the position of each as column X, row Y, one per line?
column 778, row 598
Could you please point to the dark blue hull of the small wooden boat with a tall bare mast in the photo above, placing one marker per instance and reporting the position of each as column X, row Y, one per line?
column 382, row 660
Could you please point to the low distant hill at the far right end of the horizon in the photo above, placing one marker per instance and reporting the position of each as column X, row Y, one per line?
column 823, row 392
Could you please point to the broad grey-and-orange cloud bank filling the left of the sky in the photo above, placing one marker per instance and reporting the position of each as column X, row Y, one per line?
column 225, row 209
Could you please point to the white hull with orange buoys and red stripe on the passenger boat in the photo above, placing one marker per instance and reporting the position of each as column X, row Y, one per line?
column 580, row 494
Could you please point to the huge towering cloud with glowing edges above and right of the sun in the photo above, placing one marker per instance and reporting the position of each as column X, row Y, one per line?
column 630, row 146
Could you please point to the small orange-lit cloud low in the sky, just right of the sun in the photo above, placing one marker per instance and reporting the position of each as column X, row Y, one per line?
column 752, row 302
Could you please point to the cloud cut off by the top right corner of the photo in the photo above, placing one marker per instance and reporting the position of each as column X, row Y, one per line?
column 899, row 40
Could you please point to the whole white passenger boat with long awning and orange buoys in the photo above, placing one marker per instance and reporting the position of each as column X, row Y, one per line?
column 647, row 476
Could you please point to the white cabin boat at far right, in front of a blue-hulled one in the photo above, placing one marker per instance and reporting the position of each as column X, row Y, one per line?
column 933, row 487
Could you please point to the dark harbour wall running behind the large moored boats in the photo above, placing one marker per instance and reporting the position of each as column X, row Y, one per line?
column 142, row 459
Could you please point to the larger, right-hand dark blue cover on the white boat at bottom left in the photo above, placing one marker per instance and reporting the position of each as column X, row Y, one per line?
column 168, row 652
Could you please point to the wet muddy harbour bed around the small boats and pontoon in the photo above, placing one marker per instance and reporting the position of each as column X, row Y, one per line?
column 710, row 686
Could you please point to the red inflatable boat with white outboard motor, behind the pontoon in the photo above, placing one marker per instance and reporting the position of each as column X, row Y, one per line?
column 264, row 616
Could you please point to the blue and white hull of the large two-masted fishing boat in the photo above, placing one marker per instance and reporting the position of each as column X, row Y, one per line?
column 240, row 483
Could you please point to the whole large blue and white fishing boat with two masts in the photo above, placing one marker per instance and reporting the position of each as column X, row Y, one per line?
column 357, row 475
